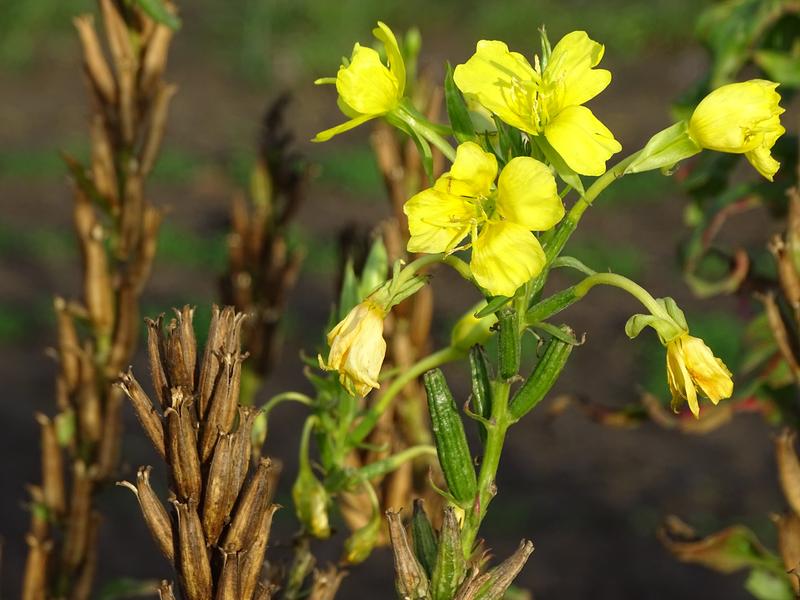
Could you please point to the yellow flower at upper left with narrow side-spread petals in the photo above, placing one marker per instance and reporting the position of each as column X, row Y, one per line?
column 367, row 88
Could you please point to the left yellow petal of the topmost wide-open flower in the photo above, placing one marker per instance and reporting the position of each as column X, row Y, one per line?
column 502, row 81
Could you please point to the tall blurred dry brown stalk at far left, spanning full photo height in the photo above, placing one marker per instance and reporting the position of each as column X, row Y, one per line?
column 117, row 232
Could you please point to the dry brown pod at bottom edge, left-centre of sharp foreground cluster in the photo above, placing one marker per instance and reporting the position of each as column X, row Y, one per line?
column 193, row 566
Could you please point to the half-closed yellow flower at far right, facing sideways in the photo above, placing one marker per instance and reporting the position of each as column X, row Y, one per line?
column 741, row 118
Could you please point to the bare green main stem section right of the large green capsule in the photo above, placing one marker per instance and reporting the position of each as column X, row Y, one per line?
column 493, row 449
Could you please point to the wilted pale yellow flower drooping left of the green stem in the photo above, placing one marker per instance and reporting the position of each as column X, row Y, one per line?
column 358, row 348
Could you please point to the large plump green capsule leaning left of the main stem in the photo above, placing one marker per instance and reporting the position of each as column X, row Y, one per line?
column 451, row 441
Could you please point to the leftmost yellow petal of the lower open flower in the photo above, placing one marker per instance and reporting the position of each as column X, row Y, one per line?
column 437, row 221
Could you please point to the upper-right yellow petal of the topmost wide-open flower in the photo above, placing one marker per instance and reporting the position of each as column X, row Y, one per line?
column 569, row 74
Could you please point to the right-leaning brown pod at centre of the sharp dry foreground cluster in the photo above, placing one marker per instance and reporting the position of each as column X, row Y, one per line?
column 221, row 493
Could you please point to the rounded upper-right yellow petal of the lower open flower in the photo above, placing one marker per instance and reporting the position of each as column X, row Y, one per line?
column 527, row 194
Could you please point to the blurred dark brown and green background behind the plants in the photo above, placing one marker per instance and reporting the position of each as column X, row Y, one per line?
column 590, row 497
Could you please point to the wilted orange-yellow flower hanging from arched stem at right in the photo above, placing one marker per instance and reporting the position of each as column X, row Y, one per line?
column 692, row 365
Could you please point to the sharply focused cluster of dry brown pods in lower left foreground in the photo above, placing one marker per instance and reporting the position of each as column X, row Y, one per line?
column 221, row 499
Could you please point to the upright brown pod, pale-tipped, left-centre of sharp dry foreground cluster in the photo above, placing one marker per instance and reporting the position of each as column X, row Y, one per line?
column 182, row 448
